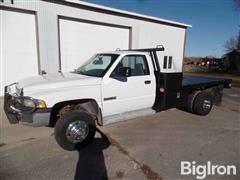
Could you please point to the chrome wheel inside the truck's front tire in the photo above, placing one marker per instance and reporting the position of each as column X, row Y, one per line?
column 77, row 131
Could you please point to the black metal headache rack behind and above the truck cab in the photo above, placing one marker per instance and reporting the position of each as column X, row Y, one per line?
column 153, row 54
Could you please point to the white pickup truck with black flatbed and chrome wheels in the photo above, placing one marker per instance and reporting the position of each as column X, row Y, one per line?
column 109, row 84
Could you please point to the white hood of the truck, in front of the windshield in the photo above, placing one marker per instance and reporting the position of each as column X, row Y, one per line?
column 57, row 80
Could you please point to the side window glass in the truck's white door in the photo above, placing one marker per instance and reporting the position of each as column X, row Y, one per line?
column 137, row 64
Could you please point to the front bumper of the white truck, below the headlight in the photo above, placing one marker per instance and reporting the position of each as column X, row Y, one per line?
column 39, row 117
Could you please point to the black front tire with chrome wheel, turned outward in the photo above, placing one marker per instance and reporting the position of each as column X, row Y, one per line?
column 74, row 130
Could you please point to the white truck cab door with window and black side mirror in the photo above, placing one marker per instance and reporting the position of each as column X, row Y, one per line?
column 136, row 91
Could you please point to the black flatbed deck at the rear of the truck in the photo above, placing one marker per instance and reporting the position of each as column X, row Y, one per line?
column 195, row 82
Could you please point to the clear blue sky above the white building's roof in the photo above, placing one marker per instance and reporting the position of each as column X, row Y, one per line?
column 213, row 21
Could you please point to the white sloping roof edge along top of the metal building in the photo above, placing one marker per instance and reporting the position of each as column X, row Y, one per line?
column 123, row 13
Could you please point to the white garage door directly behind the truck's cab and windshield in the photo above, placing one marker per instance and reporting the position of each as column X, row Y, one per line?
column 80, row 40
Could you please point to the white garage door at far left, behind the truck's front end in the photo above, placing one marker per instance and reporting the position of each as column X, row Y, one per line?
column 18, row 58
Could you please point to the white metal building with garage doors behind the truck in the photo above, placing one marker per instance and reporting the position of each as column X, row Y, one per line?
column 47, row 36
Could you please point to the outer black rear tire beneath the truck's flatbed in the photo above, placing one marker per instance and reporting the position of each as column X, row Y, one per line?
column 203, row 103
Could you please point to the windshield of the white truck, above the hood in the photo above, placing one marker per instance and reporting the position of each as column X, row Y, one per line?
column 97, row 65
